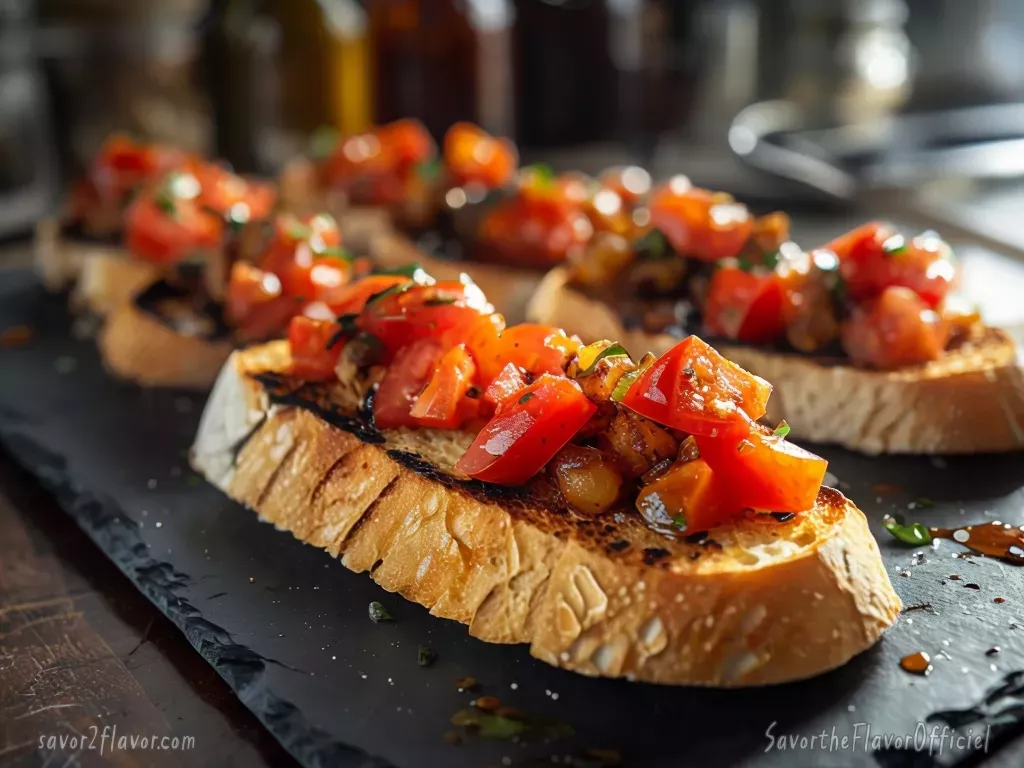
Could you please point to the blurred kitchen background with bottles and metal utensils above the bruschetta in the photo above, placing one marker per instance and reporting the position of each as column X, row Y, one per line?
column 843, row 107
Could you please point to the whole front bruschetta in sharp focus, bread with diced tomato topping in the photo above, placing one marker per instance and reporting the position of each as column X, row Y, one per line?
column 624, row 519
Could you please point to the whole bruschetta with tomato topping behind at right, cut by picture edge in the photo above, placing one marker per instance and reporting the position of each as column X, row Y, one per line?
column 863, row 337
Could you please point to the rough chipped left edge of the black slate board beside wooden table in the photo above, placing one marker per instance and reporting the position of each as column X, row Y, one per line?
column 243, row 669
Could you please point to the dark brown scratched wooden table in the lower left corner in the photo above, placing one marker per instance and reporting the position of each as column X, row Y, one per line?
column 82, row 651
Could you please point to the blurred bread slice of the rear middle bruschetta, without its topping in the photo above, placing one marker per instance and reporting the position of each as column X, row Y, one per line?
column 509, row 289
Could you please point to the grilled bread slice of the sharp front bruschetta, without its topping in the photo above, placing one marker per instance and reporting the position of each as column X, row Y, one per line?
column 756, row 603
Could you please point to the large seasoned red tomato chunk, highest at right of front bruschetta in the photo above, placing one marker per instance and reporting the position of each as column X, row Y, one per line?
column 695, row 390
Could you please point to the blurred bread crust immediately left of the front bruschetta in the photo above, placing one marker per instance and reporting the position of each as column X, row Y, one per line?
column 140, row 348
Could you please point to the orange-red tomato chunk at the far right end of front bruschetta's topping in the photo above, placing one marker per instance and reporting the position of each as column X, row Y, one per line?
column 764, row 471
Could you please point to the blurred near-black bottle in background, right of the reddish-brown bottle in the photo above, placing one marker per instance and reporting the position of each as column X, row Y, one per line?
column 566, row 79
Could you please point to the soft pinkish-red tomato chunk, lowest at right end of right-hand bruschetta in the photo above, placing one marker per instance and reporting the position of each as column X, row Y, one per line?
column 897, row 330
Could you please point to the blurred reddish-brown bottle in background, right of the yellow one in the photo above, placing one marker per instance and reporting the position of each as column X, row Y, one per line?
column 442, row 62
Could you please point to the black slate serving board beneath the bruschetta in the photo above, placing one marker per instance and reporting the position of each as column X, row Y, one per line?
column 288, row 627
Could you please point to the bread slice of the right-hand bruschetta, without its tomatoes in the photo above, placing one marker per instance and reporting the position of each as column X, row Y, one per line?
column 971, row 401
